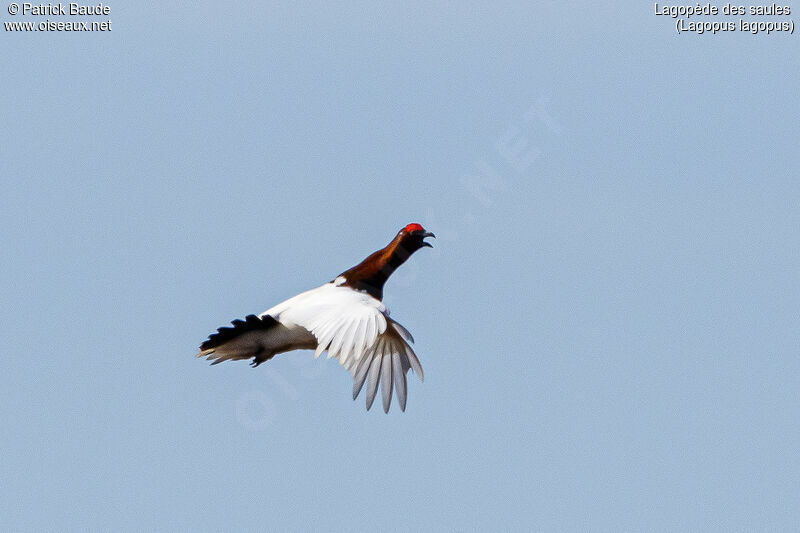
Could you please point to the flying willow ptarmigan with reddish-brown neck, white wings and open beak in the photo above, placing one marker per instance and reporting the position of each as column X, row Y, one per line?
column 345, row 317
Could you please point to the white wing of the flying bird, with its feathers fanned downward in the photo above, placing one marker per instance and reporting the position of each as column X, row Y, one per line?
column 356, row 329
